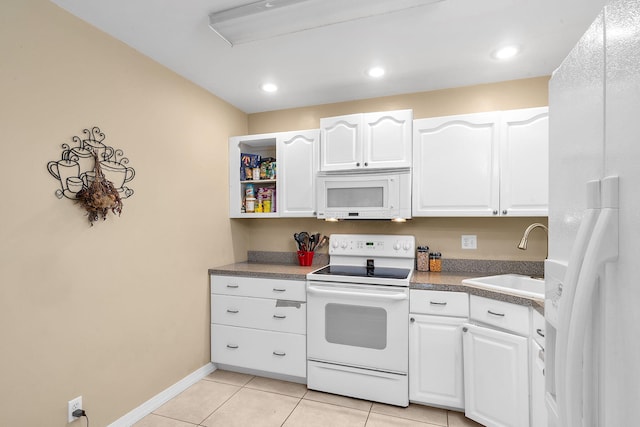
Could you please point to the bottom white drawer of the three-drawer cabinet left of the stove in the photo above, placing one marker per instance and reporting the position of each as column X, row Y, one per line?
column 269, row 351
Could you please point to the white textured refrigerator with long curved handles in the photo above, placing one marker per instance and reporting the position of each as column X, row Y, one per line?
column 592, row 303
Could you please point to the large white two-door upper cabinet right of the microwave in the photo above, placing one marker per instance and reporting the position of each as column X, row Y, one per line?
column 484, row 164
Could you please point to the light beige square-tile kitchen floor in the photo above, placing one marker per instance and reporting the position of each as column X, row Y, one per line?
column 231, row 399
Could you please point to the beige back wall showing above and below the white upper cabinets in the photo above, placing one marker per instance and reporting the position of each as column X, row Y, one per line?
column 497, row 237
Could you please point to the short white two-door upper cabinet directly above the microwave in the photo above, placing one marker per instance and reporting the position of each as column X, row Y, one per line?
column 366, row 141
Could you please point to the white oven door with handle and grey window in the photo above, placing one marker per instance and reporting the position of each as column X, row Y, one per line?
column 358, row 325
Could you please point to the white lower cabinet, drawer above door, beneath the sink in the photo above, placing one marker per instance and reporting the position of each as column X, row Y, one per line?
column 496, row 363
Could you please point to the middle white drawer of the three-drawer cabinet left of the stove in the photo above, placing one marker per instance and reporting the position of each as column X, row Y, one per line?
column 260, row 313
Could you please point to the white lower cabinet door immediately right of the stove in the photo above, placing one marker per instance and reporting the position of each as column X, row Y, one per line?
column 435, row 361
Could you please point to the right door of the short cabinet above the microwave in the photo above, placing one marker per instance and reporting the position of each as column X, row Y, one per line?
column 387, row 139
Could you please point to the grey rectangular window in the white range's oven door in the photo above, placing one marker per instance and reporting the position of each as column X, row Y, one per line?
column 356, row 325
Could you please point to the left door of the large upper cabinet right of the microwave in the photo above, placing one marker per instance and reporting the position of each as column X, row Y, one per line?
column 455, row 170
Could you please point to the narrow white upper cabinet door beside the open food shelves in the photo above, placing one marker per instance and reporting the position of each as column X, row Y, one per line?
column 297, row 167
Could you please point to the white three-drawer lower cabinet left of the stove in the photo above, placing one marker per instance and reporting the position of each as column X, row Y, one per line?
column 259, row 324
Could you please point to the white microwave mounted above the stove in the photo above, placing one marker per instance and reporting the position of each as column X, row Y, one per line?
column 379, row 195
